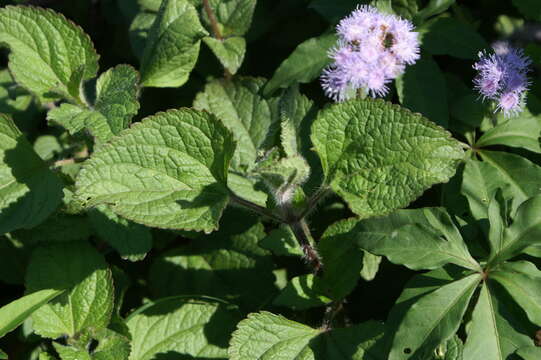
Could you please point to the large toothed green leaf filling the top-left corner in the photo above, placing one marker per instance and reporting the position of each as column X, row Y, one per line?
column 46, row 50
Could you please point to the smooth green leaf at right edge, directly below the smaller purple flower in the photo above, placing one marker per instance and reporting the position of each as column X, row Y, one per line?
column 520, row 132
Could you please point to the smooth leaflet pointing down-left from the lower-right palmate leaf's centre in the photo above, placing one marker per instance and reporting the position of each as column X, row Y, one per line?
column 433, row 319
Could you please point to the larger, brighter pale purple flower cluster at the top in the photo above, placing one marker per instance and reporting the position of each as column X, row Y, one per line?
column 373, row 49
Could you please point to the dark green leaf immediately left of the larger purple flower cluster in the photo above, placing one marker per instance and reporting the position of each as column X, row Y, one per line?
column 304, row 64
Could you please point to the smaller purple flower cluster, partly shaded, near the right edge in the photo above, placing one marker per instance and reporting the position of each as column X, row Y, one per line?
column 502, row 77
